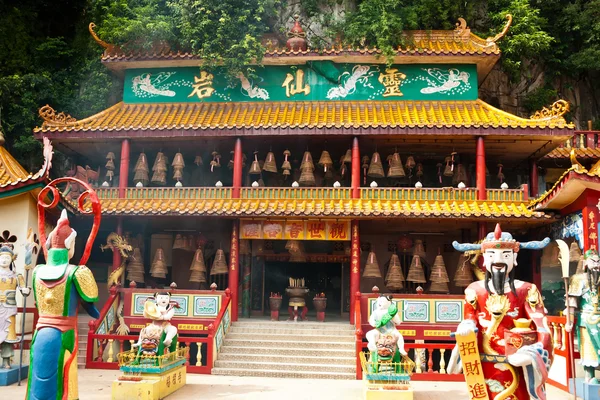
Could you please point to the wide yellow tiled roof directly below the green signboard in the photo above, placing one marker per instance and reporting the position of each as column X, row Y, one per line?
column 263, row 115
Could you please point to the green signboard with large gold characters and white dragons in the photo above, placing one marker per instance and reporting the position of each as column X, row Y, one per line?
column 316, row 81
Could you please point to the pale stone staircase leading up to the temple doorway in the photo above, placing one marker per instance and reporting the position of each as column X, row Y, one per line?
column 321, row 350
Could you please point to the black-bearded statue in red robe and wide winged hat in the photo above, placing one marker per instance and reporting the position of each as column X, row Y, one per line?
column 509, row 319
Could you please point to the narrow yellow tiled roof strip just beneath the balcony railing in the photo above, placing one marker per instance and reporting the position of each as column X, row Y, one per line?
column 318, row 208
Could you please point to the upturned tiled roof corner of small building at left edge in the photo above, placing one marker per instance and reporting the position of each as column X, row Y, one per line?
column 13, row 175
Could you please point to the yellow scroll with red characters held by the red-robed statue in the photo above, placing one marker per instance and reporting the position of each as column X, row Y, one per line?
column 471, row 362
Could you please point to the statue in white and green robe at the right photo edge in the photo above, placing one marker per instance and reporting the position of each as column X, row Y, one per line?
column 583, row 298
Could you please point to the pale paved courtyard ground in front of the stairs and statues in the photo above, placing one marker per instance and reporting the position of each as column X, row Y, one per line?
column 96, row 385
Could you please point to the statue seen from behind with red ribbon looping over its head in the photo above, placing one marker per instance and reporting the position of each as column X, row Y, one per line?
column 59, row 287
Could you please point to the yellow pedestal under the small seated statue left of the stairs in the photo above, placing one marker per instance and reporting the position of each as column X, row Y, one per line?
column 151, row 387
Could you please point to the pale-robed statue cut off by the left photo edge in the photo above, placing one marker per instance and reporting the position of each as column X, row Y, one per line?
column 10, row 280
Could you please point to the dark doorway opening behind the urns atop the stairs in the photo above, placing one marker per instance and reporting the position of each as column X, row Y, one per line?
column 318, row 278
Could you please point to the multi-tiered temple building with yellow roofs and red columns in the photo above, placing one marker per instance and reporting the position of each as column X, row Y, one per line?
column 327, row 169
